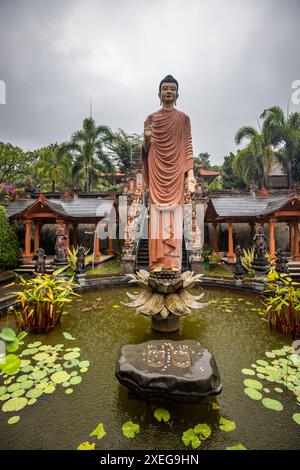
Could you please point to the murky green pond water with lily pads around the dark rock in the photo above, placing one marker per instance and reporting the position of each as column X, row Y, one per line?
column 63, row 415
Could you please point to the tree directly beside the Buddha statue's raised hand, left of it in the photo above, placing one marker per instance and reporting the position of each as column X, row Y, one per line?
column 125, row 148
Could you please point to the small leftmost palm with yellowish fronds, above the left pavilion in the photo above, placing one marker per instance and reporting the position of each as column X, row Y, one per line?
column 54, row 163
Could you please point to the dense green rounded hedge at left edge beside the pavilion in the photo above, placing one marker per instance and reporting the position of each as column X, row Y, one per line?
column 9, row 249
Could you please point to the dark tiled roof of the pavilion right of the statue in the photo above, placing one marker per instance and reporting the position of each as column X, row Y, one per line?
column 247, row 206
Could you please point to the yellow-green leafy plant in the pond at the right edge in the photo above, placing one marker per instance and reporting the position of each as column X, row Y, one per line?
column 282, row 303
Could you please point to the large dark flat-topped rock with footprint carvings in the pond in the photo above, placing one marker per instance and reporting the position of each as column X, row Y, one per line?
column 182, row 371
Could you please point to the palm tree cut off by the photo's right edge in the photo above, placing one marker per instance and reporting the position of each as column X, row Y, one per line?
column 284, row 133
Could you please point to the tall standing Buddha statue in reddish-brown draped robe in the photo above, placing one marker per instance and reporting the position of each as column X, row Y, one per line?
column 167, row 158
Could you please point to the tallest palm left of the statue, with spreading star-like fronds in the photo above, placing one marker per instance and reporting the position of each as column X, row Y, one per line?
column 88, row 146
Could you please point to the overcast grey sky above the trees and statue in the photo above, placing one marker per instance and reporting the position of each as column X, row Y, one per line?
column 232, row 59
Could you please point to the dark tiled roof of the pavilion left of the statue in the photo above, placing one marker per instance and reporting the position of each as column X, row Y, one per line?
column 83, row 208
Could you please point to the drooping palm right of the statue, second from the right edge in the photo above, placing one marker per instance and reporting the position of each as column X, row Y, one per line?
column 255, row 161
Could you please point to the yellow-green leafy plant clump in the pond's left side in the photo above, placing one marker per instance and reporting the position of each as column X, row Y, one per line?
column 40, row 305
